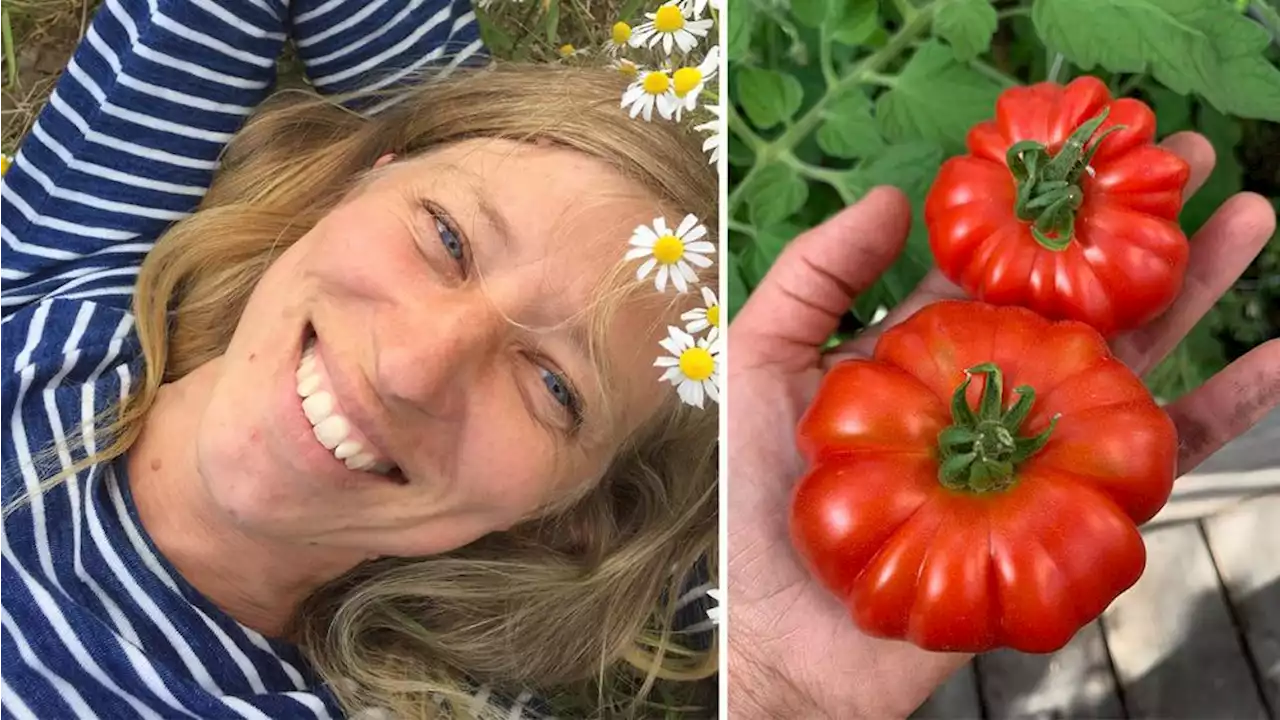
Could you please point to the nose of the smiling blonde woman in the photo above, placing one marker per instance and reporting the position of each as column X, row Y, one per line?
column 433, row 349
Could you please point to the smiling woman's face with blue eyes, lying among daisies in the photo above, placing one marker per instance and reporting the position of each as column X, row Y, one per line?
column 435, row 323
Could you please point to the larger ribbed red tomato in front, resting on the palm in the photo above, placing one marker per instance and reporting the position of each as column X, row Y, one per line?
column 947, row 511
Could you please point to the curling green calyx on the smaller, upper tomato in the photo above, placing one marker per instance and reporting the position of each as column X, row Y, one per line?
column 1049, row 186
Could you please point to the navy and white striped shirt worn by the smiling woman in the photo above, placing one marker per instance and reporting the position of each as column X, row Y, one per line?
column 94, row 621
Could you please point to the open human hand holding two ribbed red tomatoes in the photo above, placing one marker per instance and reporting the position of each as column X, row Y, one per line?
column 794, row 650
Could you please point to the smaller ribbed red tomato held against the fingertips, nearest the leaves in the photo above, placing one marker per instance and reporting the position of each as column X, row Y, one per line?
column 1064, row 206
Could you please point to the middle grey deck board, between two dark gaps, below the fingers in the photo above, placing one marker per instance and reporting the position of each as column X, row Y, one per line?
column 1172, row 637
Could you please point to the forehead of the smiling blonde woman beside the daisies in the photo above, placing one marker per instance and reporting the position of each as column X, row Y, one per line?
column 568, row 218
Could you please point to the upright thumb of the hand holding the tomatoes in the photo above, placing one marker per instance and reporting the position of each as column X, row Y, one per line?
column 816, row 280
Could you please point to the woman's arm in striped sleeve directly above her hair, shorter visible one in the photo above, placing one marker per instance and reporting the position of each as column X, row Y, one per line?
column 371, row 45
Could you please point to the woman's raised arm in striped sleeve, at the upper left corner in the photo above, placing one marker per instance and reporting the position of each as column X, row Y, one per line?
column 129, row 143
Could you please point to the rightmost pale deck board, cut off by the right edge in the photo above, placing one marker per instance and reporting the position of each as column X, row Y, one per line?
column 1246, row 548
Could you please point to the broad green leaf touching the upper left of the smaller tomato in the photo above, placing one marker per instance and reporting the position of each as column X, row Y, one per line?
column 936, row 99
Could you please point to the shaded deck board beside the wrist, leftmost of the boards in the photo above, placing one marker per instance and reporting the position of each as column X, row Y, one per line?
column 1075, row 682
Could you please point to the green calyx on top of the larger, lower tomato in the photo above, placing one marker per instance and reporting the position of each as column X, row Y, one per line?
column 981, row 453
